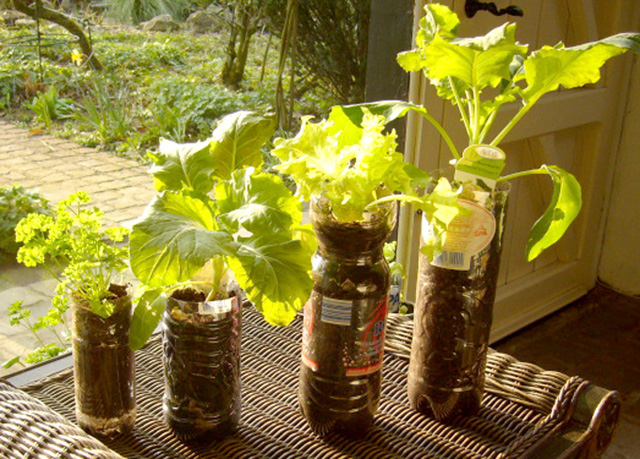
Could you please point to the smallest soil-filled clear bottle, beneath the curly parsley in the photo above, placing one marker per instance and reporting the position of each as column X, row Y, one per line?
column 104, row 367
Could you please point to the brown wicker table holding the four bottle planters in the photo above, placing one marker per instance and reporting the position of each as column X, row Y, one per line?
column 526, row 412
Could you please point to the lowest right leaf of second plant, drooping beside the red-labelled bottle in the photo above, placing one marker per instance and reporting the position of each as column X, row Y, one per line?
column 274, row 273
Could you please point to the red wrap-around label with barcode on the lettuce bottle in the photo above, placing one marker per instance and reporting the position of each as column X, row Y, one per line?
column 333, row 344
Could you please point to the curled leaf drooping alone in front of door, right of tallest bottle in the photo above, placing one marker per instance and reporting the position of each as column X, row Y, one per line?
column 563, row 209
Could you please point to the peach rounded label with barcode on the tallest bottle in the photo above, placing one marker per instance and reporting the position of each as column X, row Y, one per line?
column 466, row 236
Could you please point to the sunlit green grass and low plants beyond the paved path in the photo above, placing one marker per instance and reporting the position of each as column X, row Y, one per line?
column 154, row 85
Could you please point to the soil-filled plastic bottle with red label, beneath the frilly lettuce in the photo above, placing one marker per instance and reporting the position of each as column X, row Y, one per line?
column 344, row 322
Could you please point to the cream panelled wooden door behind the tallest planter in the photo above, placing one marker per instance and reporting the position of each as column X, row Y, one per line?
column 575, row 129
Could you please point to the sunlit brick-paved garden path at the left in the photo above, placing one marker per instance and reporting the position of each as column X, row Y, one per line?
column 56, row 167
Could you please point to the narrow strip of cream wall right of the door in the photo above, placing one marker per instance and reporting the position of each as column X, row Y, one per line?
column 620, row 260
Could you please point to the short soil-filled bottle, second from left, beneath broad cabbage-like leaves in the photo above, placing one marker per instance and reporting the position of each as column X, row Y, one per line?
column 201, row 344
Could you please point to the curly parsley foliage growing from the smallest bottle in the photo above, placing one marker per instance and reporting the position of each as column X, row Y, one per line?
column 73, row 247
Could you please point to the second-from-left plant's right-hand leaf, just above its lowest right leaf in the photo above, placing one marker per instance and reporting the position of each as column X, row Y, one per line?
column 258, row 202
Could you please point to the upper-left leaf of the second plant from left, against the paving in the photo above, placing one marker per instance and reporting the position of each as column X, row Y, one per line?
column 186, row 165
